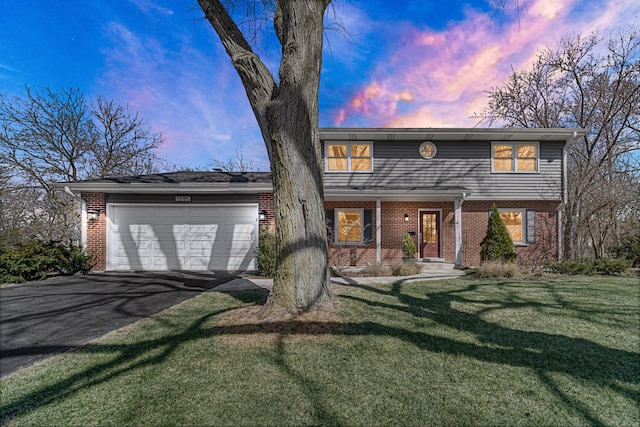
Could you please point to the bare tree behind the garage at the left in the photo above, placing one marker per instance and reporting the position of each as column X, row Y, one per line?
column 58, row 136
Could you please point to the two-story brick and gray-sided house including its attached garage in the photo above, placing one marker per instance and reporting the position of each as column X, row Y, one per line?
column 436, row 184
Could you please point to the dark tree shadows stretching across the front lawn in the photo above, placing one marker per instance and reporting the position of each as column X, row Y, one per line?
column 543, row 353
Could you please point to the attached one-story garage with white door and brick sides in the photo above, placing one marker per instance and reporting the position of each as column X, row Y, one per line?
column 173, row 221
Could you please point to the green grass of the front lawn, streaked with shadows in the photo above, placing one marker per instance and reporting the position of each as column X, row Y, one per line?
column 562, row 351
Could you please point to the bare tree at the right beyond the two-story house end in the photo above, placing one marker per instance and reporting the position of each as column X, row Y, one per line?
column 590, row 82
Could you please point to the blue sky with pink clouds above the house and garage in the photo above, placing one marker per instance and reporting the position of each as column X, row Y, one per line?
column 406, row 64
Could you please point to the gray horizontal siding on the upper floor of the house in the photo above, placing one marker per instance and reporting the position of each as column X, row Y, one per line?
column 457, row 164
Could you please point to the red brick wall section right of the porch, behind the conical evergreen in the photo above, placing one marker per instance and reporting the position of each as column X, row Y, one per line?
column 475, row 216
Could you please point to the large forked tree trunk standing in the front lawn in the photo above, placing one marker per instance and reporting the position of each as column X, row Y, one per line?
column 288, row 117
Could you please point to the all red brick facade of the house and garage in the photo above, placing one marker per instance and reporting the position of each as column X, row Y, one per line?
column 474, row 226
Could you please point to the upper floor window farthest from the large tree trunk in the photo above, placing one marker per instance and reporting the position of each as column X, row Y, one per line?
column 514, row 157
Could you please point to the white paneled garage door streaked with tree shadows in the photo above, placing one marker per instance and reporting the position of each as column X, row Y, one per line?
column 182, row 238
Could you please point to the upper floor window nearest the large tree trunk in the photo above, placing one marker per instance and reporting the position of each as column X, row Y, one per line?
column 349, row 156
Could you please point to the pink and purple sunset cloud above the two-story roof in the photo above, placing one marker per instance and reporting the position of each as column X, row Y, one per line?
column 447, row 73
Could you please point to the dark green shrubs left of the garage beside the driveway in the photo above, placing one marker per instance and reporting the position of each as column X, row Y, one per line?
column 36, row 260
